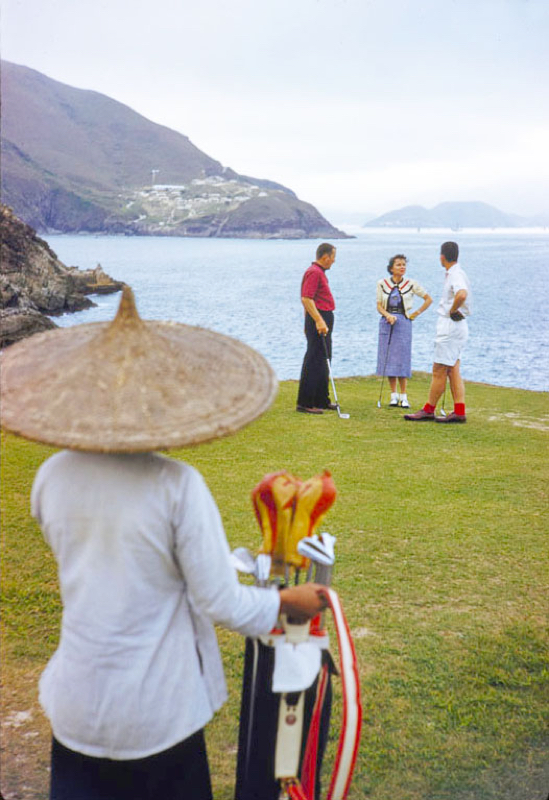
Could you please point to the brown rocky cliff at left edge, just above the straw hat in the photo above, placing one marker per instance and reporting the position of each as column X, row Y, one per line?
column 35, row 285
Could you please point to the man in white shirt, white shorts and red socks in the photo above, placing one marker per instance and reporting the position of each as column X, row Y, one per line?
column 451, row 335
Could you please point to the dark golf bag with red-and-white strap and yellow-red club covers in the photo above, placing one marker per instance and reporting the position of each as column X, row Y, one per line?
column 286, row 701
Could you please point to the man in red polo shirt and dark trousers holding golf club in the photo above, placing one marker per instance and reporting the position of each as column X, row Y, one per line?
column 319, row 307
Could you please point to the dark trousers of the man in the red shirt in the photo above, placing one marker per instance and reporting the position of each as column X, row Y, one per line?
column 313, row 385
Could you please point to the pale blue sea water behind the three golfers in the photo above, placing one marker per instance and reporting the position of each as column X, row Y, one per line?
column 249, row 289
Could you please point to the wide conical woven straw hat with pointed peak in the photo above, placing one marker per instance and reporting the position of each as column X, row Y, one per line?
column 132, row 385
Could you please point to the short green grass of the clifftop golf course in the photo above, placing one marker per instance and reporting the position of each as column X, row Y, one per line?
column 442, row 567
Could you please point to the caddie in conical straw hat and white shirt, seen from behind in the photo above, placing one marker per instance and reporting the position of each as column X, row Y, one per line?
column 143, row 559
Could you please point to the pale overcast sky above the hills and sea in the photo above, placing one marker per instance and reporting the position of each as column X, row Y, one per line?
column 359, row 106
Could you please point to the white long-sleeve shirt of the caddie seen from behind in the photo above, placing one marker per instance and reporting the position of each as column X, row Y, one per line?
column 144, row 573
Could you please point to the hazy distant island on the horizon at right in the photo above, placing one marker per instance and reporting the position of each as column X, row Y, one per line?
column 454, row 215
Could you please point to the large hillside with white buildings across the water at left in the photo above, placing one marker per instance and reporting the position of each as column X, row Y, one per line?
column 78, row 161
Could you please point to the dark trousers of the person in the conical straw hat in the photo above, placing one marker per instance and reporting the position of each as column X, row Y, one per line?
column 180, row 773
